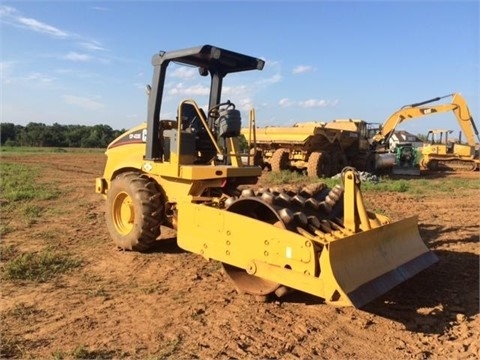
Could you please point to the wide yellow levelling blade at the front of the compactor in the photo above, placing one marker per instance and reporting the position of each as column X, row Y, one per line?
column 370, row 263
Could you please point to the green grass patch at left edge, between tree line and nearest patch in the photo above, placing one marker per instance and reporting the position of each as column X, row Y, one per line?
column 17, row 183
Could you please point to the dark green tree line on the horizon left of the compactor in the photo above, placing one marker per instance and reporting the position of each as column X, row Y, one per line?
column 56, row 135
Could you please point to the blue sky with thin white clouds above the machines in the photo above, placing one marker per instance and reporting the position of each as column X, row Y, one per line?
column 87, row 62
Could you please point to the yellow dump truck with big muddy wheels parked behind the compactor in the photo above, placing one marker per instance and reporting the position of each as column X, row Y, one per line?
column 321, row 149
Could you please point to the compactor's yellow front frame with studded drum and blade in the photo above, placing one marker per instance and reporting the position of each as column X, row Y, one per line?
column 317, row 240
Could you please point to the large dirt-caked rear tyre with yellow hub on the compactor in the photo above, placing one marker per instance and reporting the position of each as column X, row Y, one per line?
column 134, row 211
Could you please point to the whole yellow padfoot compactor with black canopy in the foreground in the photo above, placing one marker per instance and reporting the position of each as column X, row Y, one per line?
column 186, row 173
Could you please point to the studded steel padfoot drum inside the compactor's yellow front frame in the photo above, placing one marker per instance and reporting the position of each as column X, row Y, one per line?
column 312, row 211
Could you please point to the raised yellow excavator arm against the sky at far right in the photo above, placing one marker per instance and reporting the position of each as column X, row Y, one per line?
column 412, row 111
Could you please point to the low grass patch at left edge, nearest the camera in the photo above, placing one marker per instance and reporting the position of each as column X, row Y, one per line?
column 38, row 267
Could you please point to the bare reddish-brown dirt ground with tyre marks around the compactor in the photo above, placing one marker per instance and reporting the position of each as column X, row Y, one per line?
column 173, row 304
